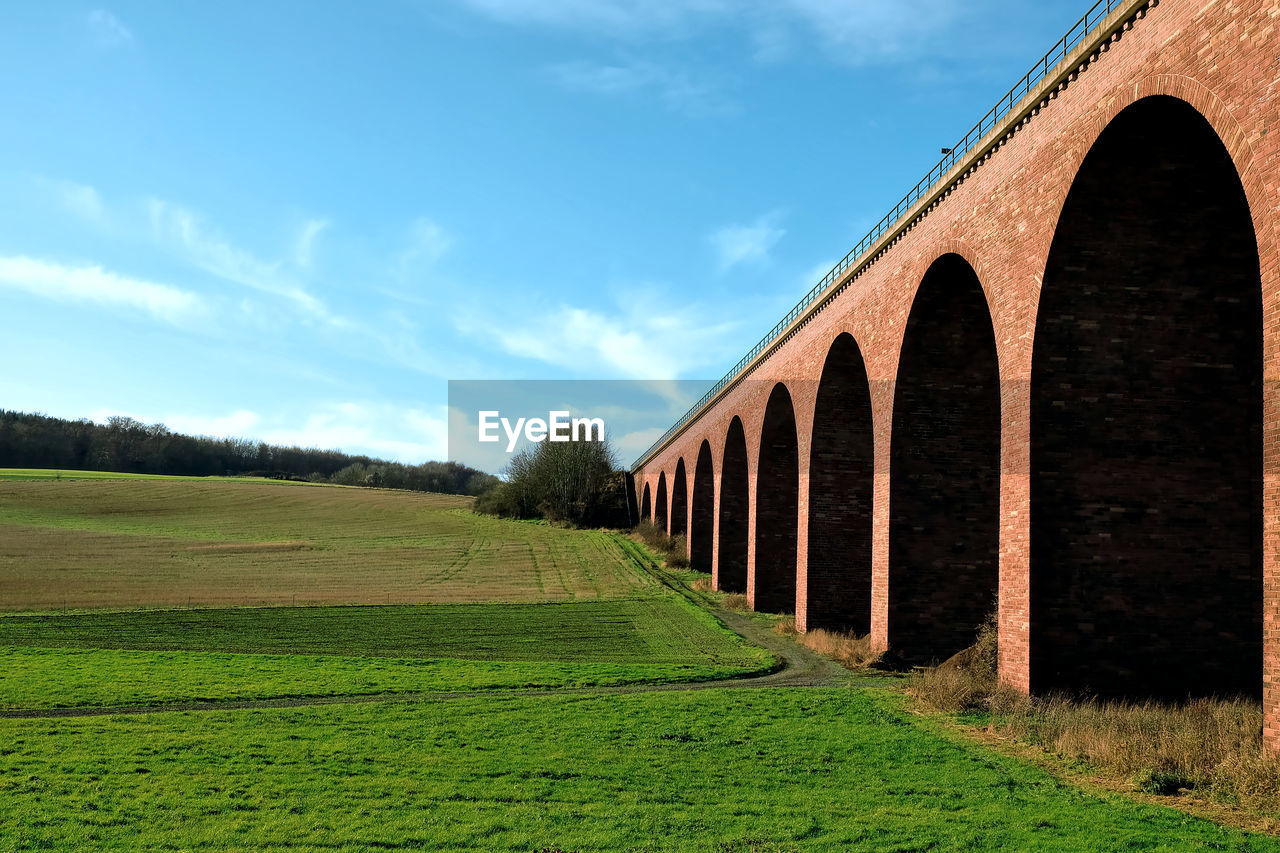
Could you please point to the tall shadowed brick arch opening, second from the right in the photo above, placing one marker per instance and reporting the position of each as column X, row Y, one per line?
column 944, row 467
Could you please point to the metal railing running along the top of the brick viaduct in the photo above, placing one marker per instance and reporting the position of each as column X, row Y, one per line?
column 1080, row 33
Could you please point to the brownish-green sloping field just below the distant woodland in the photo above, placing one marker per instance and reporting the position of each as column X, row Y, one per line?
column 139, row 542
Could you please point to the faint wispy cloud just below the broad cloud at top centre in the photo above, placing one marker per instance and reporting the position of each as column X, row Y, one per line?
column 676, row 89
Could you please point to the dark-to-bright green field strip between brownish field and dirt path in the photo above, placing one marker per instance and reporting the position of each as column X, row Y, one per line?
column 158, row 658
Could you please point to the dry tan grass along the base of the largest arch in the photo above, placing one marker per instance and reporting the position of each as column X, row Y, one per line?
column 1209, row 746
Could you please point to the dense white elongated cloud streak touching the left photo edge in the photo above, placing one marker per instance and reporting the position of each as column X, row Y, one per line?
column 95, row 286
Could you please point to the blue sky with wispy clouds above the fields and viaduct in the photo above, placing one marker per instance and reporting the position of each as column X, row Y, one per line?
column 298, row 221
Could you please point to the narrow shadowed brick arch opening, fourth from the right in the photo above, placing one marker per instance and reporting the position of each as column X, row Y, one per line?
column 778, row 501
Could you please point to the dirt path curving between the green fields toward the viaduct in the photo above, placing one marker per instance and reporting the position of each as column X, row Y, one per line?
column 799, row 668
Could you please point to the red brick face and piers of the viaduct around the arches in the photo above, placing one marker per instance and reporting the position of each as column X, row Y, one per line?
column 1002, row 216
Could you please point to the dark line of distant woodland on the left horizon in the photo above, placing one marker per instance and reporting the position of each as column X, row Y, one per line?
column 130, row 446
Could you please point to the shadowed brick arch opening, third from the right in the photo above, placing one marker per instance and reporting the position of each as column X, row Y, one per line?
column 842, row 492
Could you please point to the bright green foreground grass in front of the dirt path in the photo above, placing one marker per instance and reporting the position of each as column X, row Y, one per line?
column 711, row 770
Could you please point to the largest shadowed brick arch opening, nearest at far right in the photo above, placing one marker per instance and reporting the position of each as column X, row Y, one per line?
column 1148, row 414
